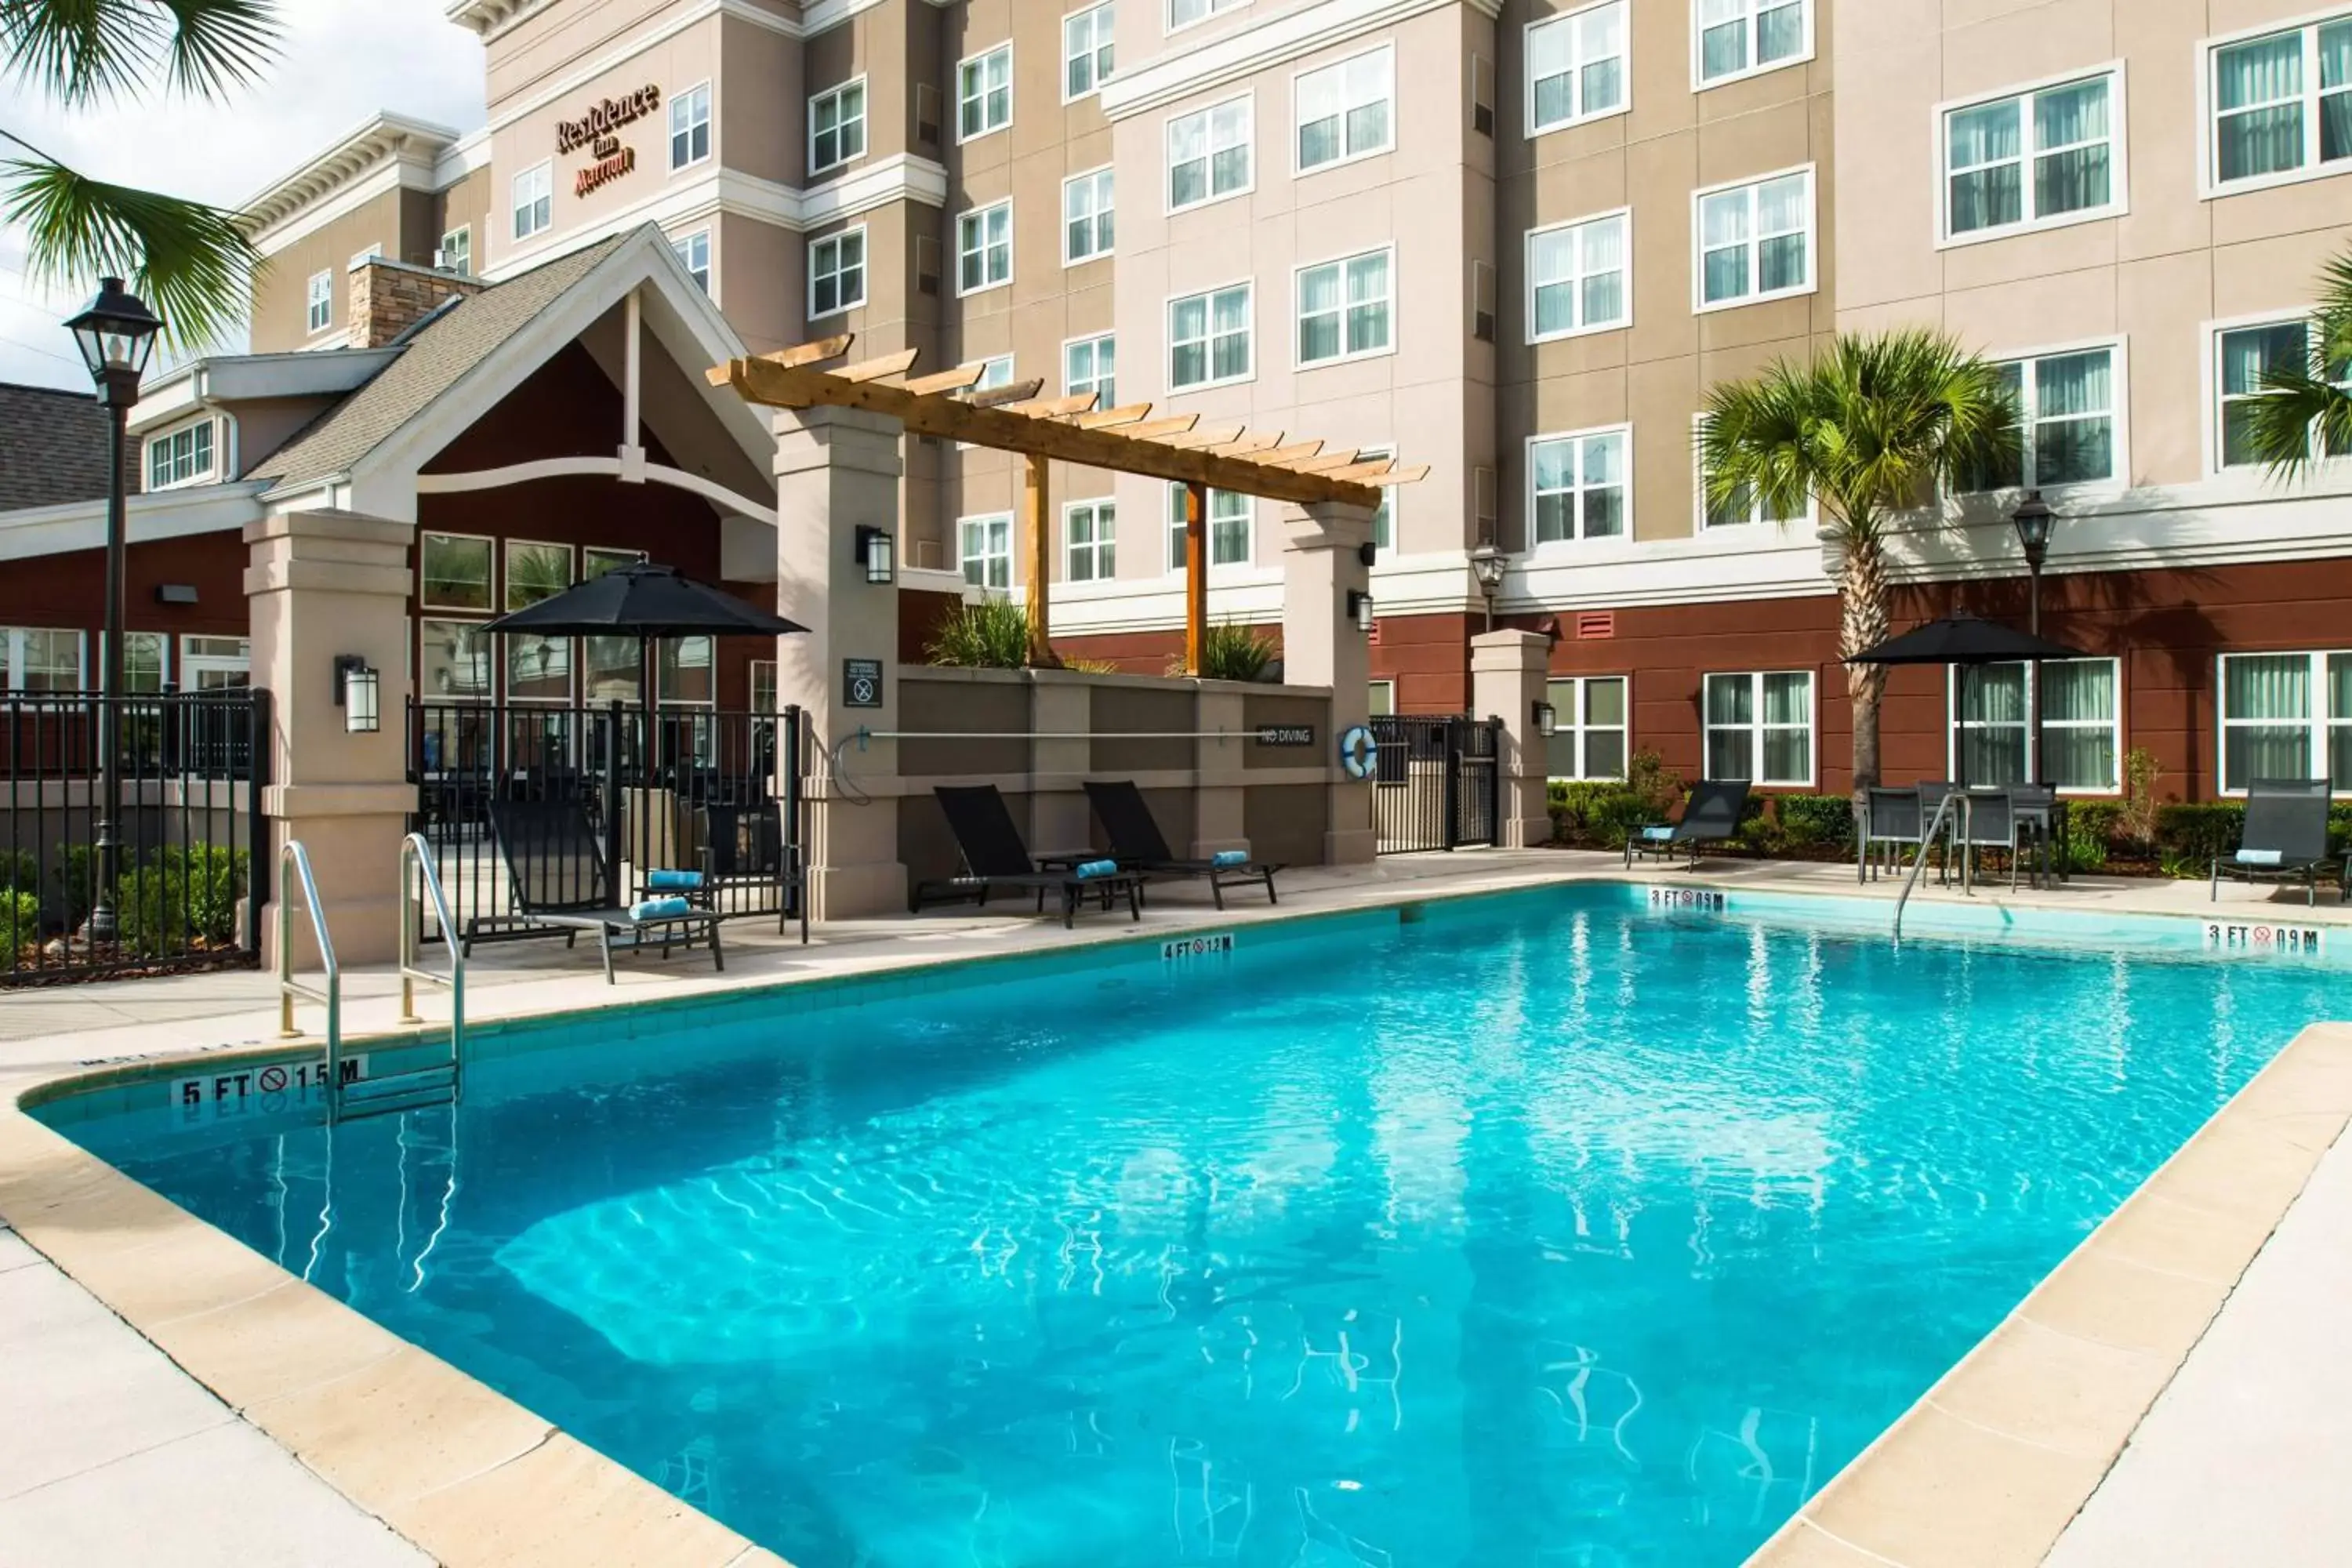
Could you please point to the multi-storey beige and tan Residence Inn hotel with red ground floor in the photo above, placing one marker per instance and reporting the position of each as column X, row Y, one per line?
column 1509, row 241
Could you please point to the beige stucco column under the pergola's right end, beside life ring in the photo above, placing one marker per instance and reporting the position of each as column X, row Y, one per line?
column 1323, row 563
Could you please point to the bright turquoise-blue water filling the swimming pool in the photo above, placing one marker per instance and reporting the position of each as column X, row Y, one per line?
column 1537, row 1231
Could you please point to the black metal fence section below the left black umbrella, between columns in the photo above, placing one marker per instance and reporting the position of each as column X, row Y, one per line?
column 702, row 791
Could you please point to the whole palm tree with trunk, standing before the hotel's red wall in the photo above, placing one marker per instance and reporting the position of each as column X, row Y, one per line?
column 1871, row 429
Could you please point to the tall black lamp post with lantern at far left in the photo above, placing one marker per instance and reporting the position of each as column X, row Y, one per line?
column 116, row 335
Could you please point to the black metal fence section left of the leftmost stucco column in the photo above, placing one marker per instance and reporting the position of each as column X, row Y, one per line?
column 192, row 855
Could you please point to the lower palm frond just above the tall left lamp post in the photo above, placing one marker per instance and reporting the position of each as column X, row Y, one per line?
column 192, row 264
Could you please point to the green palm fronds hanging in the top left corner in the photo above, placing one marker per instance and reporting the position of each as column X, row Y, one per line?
column 192, row 262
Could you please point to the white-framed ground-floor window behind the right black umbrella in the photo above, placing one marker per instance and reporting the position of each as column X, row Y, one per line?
column 2080, row 725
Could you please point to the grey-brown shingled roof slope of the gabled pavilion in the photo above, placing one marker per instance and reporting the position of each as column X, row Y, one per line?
column 436, row 359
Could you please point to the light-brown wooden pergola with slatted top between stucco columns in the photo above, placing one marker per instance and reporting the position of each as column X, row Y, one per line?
column 1071, row 431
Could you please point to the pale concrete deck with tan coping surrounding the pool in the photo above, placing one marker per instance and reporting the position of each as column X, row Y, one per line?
column 171, row 1398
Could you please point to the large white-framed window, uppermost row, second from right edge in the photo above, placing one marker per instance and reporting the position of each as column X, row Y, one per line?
column 2036, row 159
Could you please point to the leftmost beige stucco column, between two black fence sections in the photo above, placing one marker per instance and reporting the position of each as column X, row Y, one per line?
column 321, row 587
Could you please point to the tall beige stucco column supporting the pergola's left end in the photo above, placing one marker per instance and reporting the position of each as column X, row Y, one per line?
column 838, row 471
